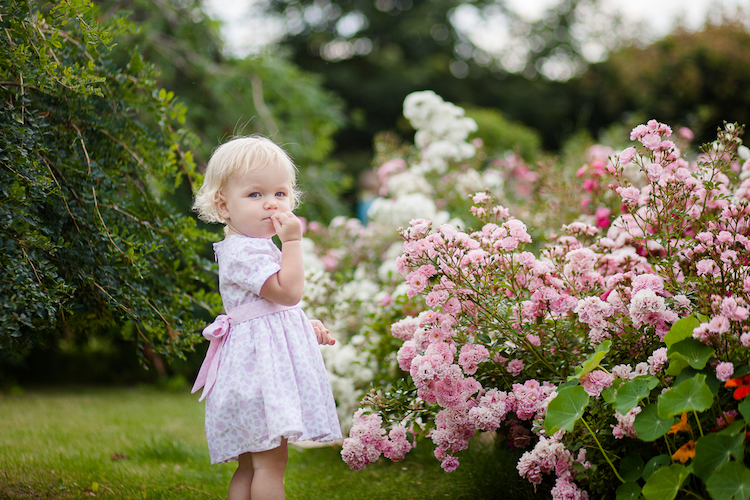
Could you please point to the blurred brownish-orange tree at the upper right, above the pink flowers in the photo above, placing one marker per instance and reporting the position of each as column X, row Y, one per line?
column 695, row 79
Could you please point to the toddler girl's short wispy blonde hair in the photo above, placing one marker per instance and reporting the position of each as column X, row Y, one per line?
column 237, row 157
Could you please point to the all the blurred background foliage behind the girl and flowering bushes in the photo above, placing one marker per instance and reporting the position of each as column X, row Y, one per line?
column 337, row 77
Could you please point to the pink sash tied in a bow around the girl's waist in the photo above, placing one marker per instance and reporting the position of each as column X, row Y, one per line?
column 217, row 331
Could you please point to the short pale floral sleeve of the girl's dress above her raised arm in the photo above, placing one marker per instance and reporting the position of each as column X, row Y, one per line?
column 254, row 261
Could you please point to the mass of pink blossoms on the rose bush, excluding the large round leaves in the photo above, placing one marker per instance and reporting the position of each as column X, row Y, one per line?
column 681, row 245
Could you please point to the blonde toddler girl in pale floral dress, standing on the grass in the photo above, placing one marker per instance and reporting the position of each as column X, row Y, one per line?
column 263, row 376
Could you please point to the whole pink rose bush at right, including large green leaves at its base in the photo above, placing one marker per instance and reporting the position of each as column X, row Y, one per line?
column 605, row 346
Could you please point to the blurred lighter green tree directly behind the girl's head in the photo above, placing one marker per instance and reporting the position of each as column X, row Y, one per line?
column 264, row 94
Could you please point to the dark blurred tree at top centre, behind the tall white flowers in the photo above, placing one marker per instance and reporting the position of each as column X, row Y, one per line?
column 375, row 53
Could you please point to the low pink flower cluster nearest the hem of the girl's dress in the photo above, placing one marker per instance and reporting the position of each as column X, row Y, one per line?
column 368, row 440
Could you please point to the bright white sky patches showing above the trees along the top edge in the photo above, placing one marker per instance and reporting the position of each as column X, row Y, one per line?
column 246, row 33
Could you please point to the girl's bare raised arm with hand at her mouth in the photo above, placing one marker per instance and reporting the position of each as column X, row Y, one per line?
column 286, row 286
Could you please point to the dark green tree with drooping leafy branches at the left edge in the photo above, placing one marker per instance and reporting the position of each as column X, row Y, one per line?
column 88, row 148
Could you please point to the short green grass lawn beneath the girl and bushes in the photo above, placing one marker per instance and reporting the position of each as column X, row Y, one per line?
column 140, row 443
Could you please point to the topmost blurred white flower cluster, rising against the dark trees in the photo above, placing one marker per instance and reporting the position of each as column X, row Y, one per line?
column 442, row 130
